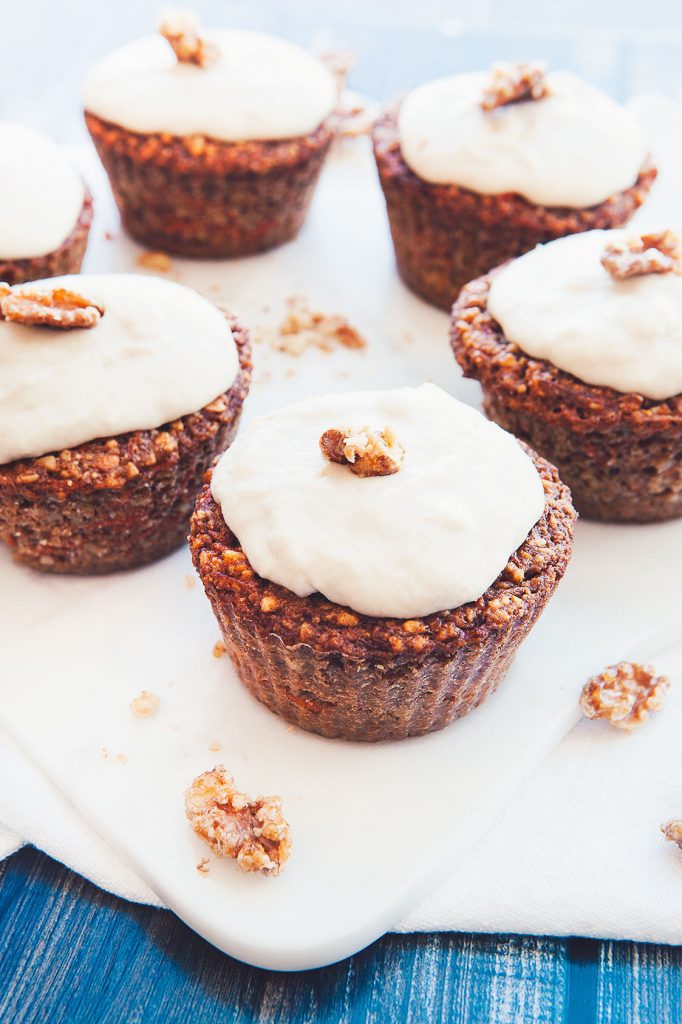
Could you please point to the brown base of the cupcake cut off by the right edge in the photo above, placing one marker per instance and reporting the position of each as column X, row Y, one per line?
column 620, row 454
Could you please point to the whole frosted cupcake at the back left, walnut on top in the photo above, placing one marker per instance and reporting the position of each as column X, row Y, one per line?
column 214, row 144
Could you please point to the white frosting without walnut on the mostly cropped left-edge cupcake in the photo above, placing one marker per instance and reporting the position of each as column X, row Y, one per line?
column 41, row 194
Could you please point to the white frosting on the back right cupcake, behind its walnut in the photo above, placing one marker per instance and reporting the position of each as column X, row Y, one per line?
column 575, row 148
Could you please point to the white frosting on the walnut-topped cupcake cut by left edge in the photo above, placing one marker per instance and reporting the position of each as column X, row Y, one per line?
column 160, row 352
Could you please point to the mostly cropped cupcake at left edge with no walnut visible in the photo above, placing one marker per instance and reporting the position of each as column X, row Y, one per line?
column 46, row 209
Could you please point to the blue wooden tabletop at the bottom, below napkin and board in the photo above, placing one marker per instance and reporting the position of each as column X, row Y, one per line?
column 71, row 954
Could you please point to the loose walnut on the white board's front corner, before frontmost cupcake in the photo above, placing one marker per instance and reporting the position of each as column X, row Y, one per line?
column 252, row 832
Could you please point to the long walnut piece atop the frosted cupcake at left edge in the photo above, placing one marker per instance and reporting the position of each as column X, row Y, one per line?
column 56, row 308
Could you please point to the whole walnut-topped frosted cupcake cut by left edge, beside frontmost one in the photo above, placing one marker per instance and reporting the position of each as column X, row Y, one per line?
column 116, row 395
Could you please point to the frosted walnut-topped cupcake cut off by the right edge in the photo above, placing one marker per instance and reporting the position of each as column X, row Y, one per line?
column 578, row 347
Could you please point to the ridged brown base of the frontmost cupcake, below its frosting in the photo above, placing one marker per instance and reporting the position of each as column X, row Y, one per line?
column 332, row 671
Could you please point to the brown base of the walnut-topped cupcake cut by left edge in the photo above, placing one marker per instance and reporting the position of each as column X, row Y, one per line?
column 121, row 502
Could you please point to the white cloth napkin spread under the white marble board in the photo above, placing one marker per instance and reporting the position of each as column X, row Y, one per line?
column 578, row 852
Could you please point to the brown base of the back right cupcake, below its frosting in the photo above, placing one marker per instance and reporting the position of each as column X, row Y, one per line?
column 446, row 236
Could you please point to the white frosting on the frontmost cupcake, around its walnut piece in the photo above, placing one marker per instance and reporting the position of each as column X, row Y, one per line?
column 432, row 537
